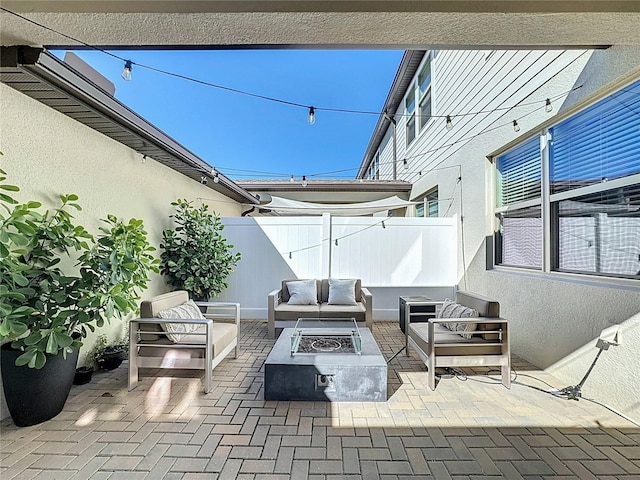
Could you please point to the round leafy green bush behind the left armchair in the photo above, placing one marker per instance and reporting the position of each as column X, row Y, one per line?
column 196, row 257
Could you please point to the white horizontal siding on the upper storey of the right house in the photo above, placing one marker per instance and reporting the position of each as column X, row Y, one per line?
column 474, row 81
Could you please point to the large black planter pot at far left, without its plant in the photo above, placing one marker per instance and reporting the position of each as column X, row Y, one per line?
column 35, row 396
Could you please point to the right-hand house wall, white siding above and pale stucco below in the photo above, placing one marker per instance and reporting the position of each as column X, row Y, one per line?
column 555, row 319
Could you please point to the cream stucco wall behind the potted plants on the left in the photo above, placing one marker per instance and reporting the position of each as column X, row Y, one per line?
column 47, row 154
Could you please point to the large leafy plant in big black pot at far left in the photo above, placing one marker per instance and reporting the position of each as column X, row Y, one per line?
column 48, row 304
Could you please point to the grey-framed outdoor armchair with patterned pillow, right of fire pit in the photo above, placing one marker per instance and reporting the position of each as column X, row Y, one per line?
column 451, row 341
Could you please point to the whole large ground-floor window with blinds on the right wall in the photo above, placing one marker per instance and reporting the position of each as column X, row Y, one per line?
column 593, row 190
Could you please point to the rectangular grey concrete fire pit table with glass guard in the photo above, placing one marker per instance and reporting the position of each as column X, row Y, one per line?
column 326, row 360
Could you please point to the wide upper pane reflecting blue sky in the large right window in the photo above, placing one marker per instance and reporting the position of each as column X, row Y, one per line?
column 598, row 144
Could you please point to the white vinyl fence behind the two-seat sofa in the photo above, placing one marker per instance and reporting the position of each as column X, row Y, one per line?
column 392, row 255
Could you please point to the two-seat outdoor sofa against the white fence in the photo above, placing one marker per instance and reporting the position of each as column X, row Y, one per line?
column 282, row 312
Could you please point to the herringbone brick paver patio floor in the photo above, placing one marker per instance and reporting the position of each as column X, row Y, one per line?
column 469, row 428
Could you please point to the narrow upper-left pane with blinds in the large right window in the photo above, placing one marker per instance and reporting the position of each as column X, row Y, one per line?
column 519, row 173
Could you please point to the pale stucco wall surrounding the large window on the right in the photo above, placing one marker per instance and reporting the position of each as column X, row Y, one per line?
column 556, row 321
